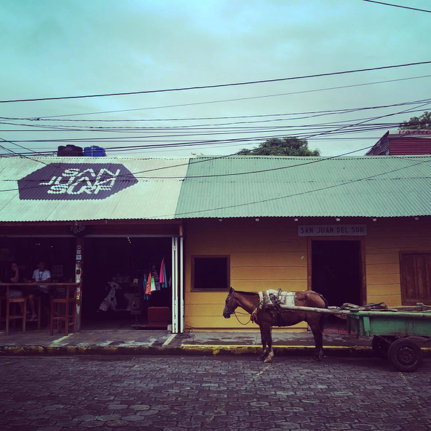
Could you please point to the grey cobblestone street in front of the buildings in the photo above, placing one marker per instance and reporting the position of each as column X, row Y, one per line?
column 176, row 393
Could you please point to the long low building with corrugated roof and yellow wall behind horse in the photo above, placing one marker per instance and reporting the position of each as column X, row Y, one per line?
column 355, row 229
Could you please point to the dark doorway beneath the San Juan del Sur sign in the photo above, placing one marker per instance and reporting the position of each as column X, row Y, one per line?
column 337, row 271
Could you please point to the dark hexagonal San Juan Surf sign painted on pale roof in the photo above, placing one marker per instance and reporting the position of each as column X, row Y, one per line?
column 75, row 181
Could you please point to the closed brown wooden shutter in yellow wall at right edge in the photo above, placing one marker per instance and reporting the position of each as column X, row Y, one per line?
column 416, row 278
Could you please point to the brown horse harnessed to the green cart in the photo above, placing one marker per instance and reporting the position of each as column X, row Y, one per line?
column 267, row 317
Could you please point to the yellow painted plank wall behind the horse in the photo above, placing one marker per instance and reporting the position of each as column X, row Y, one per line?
column 268, row 254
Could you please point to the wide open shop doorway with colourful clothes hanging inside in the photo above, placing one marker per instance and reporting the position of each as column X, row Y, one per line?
column 115, row 270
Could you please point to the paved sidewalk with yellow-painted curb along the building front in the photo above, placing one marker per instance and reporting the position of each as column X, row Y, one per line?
column 135, row 342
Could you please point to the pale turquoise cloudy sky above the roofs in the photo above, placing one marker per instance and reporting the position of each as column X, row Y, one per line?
column 65, row 48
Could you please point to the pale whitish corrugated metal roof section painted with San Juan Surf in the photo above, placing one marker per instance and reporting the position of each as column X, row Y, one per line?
column 72, row 188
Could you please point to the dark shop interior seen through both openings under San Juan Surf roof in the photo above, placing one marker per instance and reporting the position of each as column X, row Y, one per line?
column 116, row 291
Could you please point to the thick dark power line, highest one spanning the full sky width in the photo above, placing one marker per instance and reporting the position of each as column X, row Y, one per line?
column 201, row 87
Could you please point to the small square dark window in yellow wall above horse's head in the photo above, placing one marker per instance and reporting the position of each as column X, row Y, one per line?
column 210, row 273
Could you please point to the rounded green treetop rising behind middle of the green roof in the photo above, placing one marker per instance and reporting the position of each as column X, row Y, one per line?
column 289, row 146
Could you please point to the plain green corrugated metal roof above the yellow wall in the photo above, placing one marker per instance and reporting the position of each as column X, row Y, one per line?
column 382, row 186
